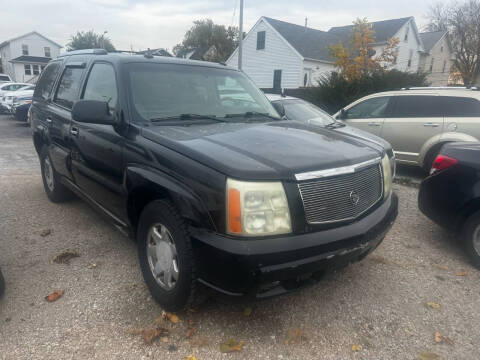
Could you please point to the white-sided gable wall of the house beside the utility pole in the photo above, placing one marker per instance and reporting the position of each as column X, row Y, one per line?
column 260, row 65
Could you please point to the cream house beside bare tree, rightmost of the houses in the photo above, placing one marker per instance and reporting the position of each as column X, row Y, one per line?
column 437, row 59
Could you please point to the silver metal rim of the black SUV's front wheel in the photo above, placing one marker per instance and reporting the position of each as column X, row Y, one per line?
column 162, row 256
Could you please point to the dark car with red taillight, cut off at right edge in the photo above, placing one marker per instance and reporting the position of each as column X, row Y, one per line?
column 450, row 196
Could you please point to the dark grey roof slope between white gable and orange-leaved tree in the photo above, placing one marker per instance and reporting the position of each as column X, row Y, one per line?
column 310, row 43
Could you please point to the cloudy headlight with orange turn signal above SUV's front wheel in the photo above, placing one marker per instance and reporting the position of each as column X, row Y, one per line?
column 257, row 208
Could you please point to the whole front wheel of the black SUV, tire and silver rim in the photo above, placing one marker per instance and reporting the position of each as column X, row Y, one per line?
column 180, row 293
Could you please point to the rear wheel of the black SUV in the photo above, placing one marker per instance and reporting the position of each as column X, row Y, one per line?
column 56, row 191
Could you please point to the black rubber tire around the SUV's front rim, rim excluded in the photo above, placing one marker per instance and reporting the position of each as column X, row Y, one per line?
column 184, row 294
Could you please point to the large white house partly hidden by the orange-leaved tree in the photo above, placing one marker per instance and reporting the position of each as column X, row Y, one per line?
column 277, row 54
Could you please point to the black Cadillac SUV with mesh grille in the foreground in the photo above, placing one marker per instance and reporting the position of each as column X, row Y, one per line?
column 192, row 160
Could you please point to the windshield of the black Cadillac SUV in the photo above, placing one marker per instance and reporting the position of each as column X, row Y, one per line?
column 168, row 90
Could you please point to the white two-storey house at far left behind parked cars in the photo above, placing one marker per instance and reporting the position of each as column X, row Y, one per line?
column 24, row 57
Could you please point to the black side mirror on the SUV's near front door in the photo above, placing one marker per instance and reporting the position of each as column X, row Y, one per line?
column 92, row 112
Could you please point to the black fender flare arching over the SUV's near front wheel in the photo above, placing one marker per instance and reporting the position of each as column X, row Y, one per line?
column 189, row 204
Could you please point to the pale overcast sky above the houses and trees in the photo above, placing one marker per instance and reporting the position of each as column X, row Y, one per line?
column 162, row 23
